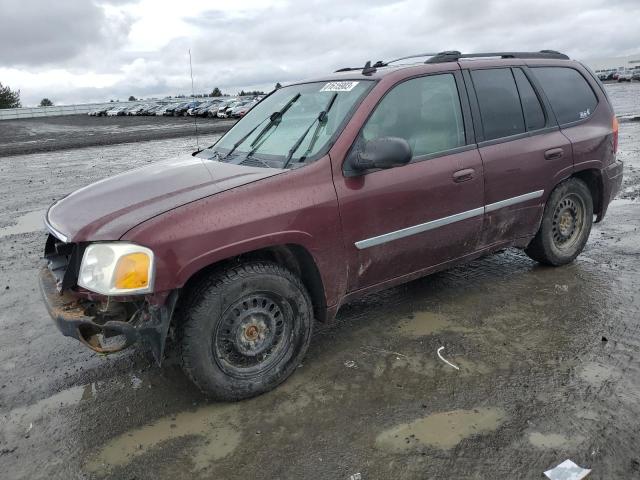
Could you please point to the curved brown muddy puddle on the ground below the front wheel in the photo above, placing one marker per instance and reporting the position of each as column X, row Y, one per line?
column 214, row 424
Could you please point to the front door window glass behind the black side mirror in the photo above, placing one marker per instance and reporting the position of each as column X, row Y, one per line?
column 425, row 111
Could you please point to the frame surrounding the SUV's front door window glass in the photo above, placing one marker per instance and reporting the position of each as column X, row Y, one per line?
column 469, row 125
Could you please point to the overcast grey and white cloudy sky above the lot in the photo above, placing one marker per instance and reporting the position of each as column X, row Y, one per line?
column 75, row 51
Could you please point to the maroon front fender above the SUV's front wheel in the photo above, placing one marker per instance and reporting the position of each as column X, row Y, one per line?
column 297, row 207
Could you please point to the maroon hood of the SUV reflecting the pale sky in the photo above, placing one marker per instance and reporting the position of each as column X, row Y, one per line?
column 107, row 209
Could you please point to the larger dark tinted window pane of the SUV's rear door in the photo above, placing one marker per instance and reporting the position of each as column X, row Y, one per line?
column 499, row 102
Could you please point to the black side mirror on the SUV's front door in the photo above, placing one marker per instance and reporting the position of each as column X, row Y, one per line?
column 386, row 152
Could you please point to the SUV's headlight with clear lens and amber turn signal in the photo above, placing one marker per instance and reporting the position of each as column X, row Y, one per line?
column 117, row 269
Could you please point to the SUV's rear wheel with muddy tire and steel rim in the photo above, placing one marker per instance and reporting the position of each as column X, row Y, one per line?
column 566, row 224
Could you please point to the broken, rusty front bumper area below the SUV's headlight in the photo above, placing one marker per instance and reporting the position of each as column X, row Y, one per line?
column 95, row 325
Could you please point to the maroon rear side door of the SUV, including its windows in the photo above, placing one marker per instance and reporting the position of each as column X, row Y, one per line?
column 524, row 154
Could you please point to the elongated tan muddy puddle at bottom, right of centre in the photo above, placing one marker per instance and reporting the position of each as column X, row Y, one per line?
column 441, row 430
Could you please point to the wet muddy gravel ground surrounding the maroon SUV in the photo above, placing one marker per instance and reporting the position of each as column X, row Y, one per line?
column 549, row 365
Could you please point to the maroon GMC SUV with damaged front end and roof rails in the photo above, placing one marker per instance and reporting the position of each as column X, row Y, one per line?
column 325, row 191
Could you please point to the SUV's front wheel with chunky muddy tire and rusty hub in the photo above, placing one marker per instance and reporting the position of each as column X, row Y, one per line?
column 245, row 330
